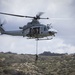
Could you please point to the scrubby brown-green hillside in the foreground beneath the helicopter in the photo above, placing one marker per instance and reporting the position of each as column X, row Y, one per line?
column 24, row 64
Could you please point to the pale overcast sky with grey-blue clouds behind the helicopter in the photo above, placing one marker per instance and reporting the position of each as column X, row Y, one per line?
column 62, row 17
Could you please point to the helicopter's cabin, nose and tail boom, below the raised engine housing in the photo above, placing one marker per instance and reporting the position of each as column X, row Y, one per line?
column 34, row 32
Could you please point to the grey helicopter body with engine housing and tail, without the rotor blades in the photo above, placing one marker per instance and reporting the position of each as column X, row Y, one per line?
column 33, row 29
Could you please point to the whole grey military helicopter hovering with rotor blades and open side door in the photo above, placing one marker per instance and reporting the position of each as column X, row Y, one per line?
column 33, row 29
